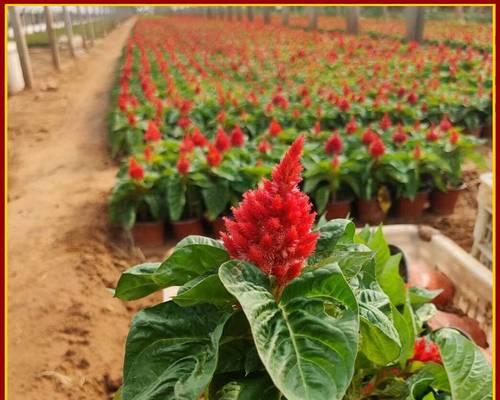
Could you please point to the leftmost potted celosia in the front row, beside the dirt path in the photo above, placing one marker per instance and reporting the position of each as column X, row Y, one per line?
column 136, row 203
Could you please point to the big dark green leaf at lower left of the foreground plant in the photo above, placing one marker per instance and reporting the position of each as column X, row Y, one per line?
column 171, row 352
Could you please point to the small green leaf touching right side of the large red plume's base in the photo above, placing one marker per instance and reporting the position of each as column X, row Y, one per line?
column 333, row 232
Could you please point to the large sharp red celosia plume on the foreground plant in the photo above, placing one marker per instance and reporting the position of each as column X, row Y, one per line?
column 272, row 225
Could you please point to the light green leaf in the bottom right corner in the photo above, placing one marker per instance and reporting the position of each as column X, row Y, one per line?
column 469, row 373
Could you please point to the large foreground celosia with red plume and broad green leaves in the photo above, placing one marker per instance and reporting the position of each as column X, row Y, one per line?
column 321, row 313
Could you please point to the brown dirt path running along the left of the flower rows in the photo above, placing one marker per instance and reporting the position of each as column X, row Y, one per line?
column 65, row 331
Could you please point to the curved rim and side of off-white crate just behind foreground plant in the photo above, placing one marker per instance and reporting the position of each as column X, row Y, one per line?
column 472, row 280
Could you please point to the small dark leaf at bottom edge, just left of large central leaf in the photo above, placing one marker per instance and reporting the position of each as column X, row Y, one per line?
column 249, row 389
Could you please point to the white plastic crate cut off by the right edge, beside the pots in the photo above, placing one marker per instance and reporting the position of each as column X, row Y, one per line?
column 483, row 231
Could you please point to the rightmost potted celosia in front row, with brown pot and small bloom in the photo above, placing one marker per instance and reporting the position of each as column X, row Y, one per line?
column 454, row 149
